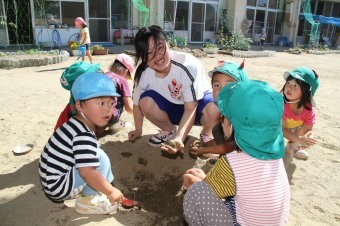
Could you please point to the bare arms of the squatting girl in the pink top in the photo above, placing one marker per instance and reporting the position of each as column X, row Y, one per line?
column 298, row 137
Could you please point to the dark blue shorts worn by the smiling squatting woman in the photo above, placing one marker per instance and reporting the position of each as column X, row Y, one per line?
column 175, row 111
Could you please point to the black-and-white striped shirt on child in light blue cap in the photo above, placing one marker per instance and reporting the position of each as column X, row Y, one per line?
column 71, row 146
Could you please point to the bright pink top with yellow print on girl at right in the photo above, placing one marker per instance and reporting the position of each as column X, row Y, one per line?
column 293, row 121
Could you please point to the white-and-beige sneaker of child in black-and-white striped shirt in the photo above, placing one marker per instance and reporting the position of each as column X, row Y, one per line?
column 96, row 204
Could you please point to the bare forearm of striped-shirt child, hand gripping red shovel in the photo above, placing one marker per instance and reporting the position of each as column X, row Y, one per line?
column 95, row 180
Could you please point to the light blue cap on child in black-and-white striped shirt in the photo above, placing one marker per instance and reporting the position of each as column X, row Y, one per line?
column 91, row 85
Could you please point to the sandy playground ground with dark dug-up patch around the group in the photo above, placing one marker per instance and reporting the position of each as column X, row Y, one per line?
column 32, row 98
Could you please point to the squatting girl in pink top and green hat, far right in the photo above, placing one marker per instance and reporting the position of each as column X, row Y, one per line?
column 299, row 113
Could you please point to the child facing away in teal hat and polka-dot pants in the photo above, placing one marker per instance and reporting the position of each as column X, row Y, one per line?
column 252, row 178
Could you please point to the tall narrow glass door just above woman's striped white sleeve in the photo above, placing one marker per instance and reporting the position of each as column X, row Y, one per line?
column 197, row 22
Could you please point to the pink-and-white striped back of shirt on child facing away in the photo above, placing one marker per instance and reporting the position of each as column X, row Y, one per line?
column 262, row 190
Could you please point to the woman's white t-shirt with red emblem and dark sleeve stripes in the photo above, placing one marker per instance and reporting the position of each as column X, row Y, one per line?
column 186, row 81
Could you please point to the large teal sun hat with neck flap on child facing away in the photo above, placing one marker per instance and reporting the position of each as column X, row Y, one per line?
column 255, row 111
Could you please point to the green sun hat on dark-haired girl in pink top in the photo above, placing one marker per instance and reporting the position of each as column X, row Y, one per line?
column 306, row 75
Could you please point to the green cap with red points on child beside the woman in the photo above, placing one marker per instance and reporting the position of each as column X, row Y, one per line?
column 234, row 70
